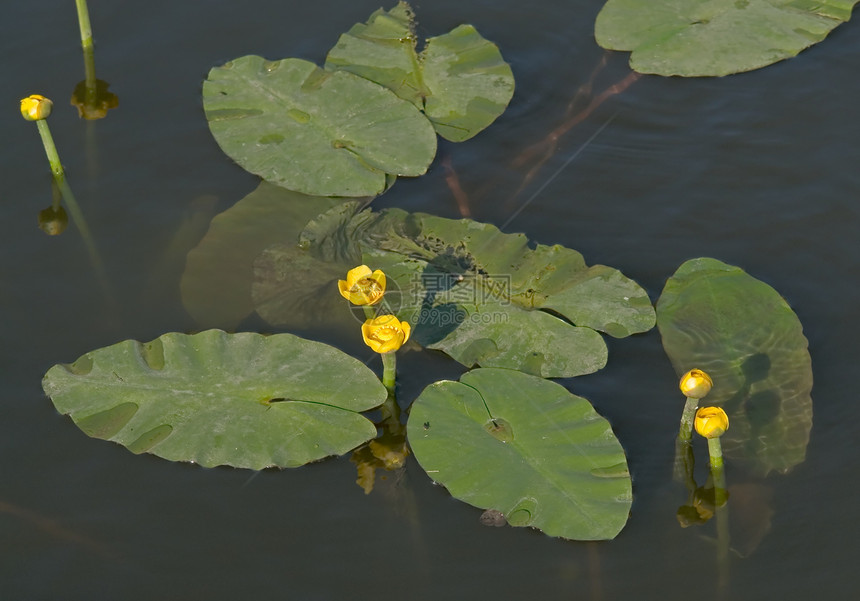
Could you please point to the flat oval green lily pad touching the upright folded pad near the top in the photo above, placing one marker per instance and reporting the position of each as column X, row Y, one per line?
column 324, row 133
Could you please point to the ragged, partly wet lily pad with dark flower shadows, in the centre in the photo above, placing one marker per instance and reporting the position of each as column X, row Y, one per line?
column 481, row 296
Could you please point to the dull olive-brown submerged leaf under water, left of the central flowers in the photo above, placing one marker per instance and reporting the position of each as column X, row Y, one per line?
column 219, row 271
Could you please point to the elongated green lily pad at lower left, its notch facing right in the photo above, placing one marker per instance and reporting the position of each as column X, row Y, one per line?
column 244, row 400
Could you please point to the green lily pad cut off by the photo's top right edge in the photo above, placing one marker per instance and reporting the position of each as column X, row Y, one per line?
column 717, row 37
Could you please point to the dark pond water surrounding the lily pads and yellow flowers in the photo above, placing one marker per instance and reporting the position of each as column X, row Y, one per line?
column 758, row 170
